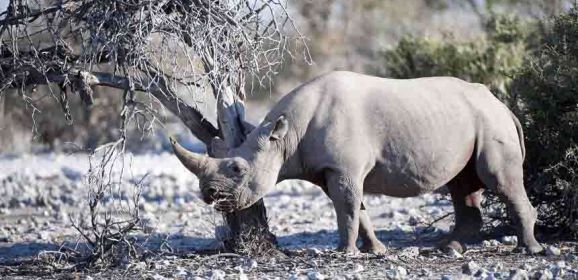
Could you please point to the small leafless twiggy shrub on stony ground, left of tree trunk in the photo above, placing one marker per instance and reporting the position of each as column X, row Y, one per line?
column 113, row 212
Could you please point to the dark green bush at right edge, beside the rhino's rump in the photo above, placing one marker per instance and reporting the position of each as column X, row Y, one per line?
column 548, row 88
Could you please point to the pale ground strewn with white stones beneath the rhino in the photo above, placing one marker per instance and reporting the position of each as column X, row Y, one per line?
column 37, row 194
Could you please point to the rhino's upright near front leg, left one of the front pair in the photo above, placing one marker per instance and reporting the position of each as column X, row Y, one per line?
column 346, row 195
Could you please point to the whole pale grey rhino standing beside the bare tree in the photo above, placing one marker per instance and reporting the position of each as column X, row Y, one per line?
column 353, row 134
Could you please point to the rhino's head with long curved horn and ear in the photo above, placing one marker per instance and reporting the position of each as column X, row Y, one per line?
column 242, row 176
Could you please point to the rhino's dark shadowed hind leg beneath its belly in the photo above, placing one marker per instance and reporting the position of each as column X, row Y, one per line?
column 466, row 193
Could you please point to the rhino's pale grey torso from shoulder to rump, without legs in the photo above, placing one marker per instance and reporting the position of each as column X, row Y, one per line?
column 409, row 136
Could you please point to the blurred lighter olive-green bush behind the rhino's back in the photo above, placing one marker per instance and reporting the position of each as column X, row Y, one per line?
column 491, row 60
